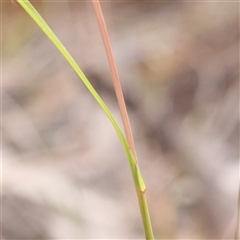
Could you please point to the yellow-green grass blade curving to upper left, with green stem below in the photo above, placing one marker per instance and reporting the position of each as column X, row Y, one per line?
column 137, row 177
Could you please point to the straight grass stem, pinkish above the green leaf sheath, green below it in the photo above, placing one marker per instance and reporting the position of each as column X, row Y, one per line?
column 118, row 90
